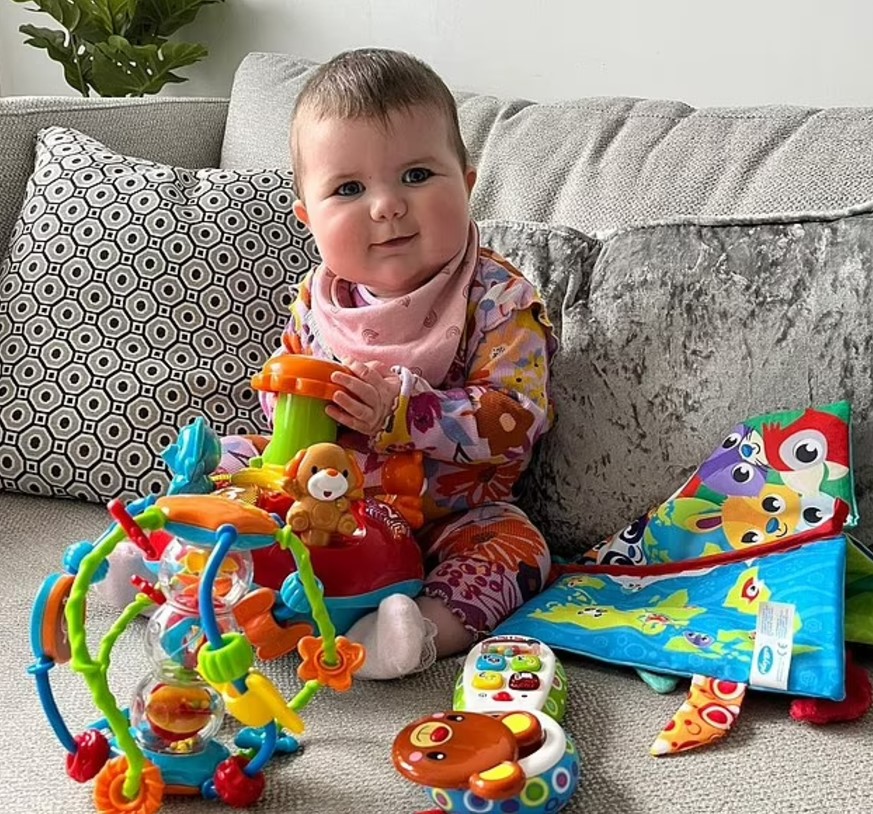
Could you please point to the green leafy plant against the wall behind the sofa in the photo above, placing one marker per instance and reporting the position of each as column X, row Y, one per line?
column 117, row 47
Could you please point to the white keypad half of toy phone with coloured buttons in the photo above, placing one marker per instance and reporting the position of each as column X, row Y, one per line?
column 503, row 673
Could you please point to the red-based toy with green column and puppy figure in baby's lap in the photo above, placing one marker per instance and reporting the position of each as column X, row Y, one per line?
column 372, row 552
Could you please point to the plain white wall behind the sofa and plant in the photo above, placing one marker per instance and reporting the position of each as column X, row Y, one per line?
column 705, row 52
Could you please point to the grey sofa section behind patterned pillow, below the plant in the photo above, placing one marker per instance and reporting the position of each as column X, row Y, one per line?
column 184, row 132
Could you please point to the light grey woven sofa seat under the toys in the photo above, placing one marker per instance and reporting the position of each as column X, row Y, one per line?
column 345, row 767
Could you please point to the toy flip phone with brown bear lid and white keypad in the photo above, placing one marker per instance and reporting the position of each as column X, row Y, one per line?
column 501, row 749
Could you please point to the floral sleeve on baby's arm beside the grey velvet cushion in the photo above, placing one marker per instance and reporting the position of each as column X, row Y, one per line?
column 503, row 407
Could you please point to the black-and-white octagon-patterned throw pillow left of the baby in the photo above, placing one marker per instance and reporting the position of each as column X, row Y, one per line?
column 135, row 297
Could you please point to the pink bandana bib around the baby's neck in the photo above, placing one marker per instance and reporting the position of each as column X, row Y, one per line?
column 420, row 331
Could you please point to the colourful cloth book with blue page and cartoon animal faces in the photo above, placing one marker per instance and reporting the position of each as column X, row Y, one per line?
column 678, row 590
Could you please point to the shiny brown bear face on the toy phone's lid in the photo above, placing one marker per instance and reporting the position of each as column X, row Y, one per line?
column 445, row 749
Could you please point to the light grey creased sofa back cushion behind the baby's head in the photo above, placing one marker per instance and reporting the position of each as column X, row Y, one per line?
column 604, row 163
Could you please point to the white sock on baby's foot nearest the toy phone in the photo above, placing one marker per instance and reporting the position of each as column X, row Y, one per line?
column 398, row 639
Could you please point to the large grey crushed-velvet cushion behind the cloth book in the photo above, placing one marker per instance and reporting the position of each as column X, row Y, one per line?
column 678, row 331
